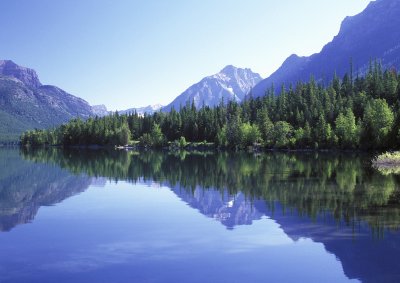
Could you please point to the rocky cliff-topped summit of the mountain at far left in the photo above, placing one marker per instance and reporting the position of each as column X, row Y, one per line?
column 25, row 75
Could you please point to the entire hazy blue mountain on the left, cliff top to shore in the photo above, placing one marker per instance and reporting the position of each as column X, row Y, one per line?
column 26, row 104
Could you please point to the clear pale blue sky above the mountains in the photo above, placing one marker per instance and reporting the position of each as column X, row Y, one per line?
column 130, row 53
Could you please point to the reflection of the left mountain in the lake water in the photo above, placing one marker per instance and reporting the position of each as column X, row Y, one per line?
column 26, row 186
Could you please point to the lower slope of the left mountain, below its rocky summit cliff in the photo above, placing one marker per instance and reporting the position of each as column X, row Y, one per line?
column 23, row 108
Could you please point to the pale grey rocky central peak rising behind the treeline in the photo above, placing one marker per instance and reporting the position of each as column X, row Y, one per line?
column 230, row 84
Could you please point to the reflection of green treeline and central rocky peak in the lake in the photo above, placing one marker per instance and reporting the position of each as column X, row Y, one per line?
column 340, row 187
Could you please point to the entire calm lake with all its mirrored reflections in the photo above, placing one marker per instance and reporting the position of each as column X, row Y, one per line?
column 127, row 216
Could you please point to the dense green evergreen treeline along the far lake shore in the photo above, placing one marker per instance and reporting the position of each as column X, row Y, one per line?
column 349, row 113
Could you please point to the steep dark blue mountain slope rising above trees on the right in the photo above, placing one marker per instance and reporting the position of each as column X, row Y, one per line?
column 373, row 34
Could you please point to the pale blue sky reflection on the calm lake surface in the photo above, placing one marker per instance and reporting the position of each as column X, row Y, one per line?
column 137, row 233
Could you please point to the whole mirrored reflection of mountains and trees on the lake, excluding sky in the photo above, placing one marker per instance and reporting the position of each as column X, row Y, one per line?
column 334, row 199
